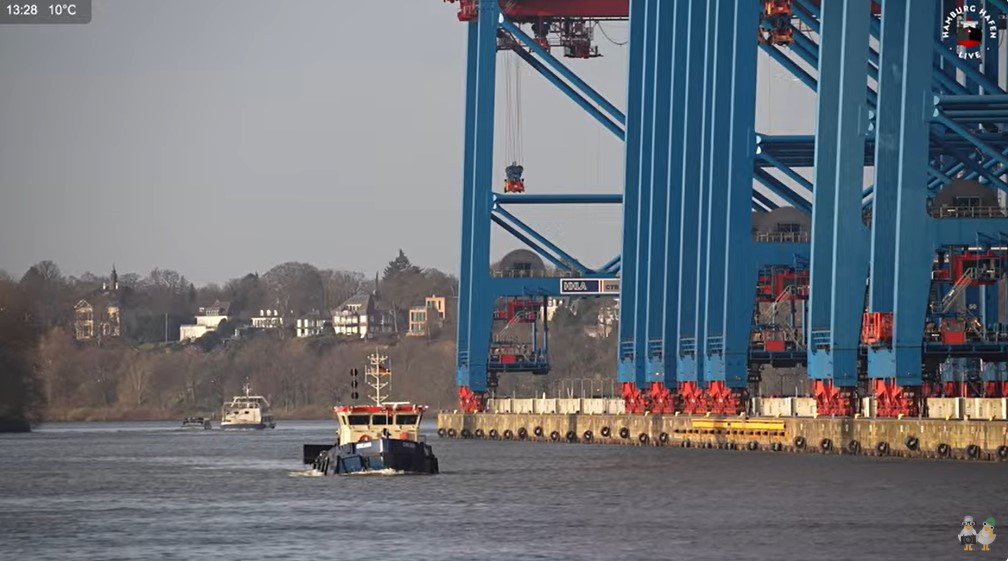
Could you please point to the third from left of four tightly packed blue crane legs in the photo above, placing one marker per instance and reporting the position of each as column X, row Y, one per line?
column 692, row 135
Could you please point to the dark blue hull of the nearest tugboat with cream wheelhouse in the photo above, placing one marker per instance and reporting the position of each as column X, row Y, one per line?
column 407, row 457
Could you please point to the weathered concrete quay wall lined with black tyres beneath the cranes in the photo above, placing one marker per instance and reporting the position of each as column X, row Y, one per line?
column 946, row 439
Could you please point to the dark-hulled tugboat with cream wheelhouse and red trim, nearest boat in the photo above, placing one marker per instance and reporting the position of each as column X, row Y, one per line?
column 375, row 439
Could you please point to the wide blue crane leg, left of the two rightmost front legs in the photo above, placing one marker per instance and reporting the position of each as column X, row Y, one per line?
column 839, row 248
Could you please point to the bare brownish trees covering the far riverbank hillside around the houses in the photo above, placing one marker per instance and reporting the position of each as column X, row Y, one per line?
column 47, row 373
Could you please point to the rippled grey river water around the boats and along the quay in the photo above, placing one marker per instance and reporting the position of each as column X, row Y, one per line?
column 148, row 491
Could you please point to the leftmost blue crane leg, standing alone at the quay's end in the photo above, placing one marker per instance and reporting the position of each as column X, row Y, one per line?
column 475, row 300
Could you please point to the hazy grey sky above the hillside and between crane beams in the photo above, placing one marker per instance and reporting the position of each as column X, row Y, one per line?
column 221, row 138
